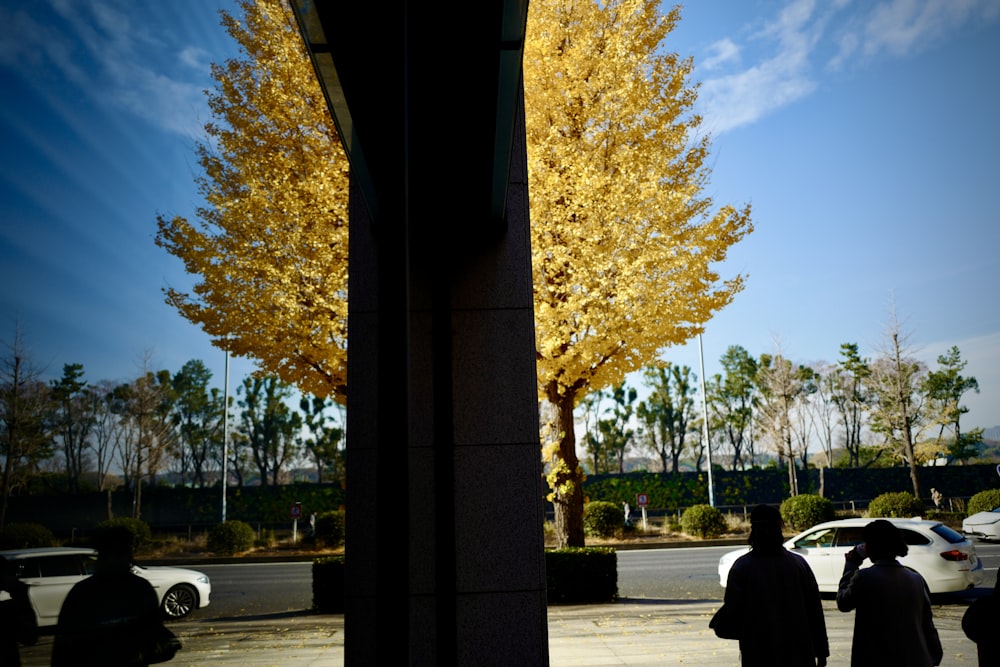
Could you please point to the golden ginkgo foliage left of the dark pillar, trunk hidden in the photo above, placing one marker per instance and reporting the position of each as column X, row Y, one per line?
column 270, row 248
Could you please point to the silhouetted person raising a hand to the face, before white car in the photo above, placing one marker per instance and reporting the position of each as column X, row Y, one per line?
column 893, row 621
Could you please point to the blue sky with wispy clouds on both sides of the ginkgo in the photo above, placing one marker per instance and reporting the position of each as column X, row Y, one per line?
column 863, row 133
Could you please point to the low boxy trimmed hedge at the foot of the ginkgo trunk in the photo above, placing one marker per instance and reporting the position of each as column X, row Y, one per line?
column 581, row 575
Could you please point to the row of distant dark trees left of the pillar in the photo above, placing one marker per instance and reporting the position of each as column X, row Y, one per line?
column 76, row 435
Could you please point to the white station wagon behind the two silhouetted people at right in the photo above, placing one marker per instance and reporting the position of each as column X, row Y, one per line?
column 944, row 557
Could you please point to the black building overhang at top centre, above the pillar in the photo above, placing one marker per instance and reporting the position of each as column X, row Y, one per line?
column 409, row 91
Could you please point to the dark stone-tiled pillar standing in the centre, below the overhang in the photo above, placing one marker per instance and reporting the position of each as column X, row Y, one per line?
column 445, row 550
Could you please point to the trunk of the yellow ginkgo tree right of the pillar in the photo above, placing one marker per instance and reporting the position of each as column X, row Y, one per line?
column 566, row 480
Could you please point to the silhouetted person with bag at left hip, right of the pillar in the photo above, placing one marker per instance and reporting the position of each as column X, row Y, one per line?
column 774, row 599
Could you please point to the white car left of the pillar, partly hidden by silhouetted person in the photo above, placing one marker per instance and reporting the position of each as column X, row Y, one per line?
column 51, row 572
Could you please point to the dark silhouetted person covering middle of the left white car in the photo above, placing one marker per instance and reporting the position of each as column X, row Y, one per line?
column 112, row 618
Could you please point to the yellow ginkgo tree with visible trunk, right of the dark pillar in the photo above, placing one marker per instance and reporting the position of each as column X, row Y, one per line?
column 623, row 240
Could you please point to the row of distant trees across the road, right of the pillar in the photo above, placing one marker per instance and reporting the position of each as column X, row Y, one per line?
column 857, row 412
